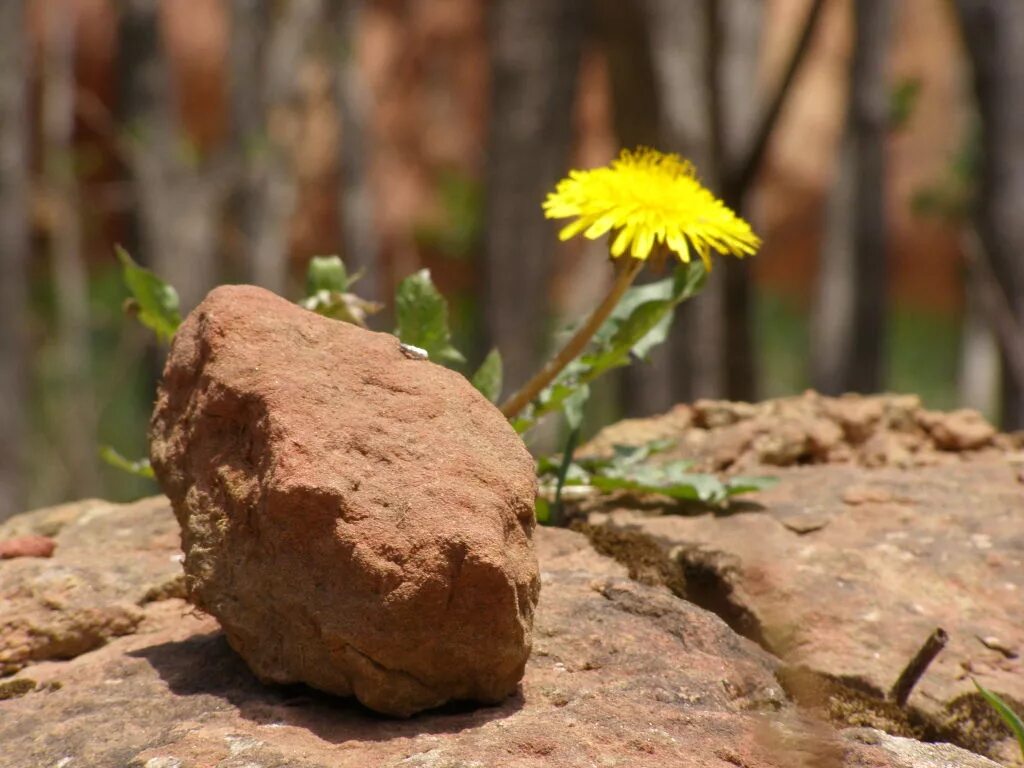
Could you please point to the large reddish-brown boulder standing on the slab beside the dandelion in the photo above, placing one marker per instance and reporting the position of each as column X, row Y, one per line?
column 357, row 519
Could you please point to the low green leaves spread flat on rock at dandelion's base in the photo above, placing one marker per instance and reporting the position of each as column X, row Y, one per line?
column 628, row 470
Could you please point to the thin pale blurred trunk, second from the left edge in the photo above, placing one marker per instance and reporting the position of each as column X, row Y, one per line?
column 77, row 410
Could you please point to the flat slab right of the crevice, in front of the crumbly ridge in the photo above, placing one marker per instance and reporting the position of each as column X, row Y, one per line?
column 905, row 551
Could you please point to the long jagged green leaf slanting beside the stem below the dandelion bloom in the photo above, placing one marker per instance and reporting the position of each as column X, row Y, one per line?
column 639, row 323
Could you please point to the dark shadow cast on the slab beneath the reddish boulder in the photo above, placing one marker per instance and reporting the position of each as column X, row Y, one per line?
column 206, row 665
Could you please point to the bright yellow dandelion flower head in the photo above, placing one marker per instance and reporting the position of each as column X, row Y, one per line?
column 648, row 198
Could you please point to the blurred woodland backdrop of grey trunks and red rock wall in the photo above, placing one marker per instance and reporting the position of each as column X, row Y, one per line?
column 878, row 148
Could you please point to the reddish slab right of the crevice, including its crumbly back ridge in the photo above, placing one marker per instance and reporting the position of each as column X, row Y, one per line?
column 846, row 569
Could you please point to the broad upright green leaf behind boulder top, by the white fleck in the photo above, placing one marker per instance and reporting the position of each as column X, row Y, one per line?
column 422, row 315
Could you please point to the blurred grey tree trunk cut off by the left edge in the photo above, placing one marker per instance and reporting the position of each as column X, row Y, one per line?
column 15, row 192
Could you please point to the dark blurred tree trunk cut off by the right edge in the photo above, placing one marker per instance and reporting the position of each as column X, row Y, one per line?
column 994, row 31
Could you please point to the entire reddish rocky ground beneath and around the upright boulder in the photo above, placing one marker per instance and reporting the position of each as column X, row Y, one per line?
column 803, row 605
